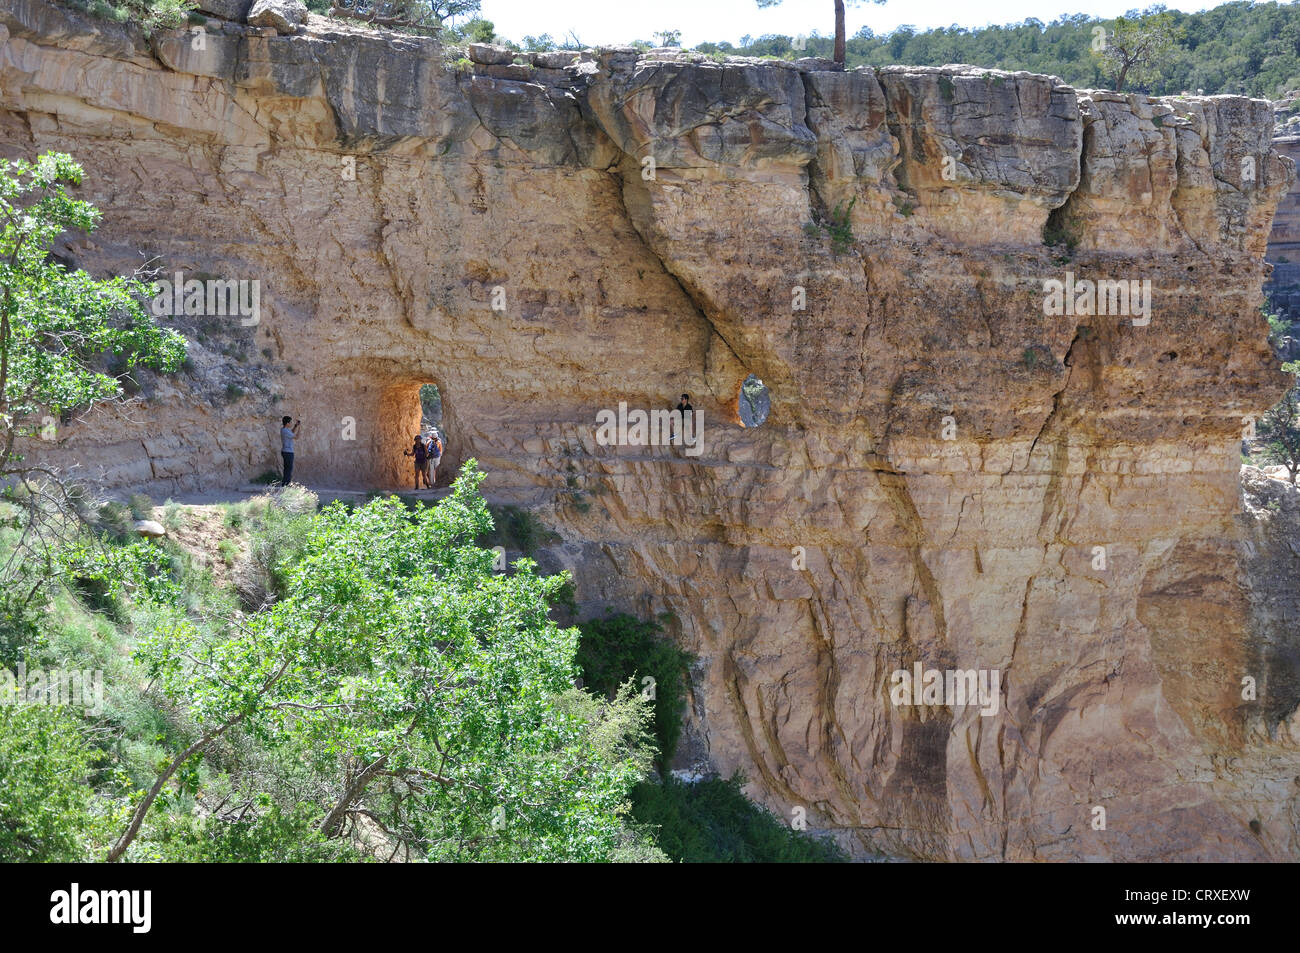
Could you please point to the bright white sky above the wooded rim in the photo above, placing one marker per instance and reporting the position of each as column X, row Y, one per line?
column 613, row 23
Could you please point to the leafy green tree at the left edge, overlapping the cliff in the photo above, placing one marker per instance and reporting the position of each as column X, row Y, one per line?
column 58, row 326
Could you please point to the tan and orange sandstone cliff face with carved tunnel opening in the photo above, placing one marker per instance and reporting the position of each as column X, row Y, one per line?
column 943, row 458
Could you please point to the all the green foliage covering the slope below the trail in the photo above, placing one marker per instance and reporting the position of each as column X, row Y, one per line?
column 445, row 674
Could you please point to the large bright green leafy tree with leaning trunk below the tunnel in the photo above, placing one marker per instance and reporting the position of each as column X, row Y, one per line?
column 441, row 692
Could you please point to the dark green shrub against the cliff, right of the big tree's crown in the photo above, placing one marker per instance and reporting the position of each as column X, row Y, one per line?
column 619, row 648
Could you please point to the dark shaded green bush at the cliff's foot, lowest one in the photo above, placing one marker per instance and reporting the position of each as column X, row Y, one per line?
column 713, row 822
